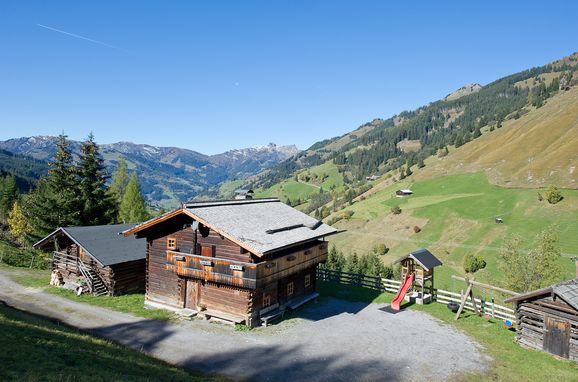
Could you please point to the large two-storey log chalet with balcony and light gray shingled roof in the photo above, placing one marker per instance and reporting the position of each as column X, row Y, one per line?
column 244, row 261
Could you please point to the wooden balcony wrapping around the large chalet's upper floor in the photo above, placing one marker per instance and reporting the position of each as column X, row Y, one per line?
column 241, row 274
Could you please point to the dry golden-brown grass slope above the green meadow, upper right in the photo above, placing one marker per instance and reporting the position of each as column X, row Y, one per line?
column 538, row 149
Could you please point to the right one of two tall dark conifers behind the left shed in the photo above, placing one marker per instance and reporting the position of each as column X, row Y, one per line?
column 98, row 206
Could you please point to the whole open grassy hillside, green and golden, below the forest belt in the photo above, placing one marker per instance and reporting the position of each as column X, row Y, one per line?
column 455, row 204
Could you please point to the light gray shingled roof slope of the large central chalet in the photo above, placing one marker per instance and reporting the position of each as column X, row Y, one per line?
column 260, row 225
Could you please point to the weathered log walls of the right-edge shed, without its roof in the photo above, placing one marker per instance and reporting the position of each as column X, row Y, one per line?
column 552, row 326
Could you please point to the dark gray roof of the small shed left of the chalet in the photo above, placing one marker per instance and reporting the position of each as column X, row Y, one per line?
column 103, row 242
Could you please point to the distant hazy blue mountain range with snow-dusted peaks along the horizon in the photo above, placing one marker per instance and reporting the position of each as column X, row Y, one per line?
column 168, row 175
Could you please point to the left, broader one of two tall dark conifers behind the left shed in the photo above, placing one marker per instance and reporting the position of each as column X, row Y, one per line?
column 55, row 202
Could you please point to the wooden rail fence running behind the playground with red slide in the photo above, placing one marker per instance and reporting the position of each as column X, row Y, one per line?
column 489, row 308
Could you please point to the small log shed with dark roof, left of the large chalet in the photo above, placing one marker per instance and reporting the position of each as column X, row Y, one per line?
column 99, row 256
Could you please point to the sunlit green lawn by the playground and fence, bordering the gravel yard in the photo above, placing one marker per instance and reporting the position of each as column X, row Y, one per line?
column 511, row 361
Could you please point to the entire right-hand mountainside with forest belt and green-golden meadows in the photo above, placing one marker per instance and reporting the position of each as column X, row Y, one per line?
column 469, row 159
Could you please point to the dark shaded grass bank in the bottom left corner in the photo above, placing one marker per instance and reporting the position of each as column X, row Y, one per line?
column 35, row 349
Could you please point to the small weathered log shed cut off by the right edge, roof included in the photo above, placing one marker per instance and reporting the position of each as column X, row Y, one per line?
column 547, row 319
